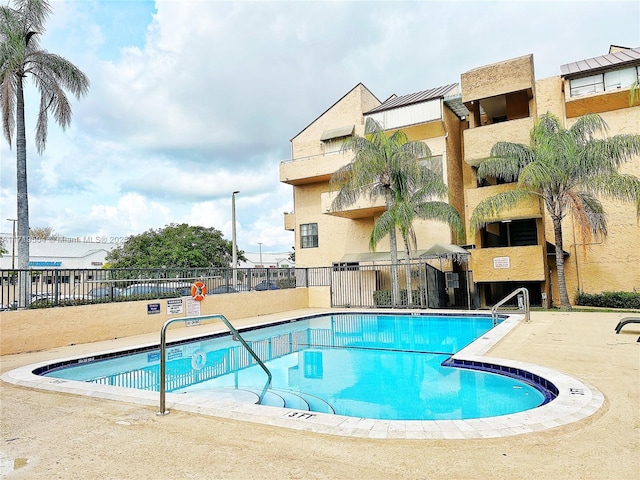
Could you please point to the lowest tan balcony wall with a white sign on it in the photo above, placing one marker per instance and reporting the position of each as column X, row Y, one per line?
column 509, row 264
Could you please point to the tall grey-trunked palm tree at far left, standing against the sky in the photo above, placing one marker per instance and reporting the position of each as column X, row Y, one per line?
column 20, row 57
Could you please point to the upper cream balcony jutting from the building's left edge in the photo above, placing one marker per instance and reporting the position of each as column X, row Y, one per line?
column 312, row 169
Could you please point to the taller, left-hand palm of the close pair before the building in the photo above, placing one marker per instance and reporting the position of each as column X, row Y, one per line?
column 382, row 166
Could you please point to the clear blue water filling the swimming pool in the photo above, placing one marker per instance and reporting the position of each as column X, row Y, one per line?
column 381, row 366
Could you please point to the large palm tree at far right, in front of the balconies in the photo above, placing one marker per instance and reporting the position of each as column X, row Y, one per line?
column 568, row 169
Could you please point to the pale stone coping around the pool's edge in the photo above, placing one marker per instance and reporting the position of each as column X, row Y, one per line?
column 575, row 399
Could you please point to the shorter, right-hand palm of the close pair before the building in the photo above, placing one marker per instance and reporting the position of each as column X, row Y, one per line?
column 410, row 205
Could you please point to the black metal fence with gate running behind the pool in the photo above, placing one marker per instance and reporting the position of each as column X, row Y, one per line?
column 351, row 285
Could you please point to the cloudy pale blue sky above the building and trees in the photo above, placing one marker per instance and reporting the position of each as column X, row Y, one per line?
column 191, row 100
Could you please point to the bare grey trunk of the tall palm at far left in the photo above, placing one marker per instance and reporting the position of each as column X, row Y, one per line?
column 22, row 199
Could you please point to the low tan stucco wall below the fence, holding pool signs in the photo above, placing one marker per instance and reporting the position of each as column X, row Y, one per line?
column 46, row 328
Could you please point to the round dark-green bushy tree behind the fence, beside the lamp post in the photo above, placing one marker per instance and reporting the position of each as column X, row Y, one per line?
column 174, row 246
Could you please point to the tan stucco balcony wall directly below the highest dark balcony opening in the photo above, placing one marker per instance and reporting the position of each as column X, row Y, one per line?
column 479, row 141
